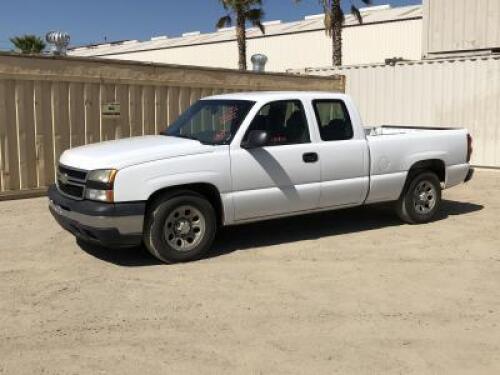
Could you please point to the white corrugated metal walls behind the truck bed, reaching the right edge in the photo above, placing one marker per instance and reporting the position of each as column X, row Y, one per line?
column 458, row 84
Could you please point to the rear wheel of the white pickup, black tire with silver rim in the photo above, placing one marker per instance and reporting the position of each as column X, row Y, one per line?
column 415, row 205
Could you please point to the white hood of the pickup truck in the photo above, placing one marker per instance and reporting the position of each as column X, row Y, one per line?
column 130, row 151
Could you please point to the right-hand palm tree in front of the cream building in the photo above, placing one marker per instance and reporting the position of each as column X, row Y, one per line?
column 334, row 19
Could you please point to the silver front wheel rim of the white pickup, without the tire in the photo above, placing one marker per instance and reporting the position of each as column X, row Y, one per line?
column 184, row 228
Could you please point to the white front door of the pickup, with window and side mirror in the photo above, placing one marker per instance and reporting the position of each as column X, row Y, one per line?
column 283, row 176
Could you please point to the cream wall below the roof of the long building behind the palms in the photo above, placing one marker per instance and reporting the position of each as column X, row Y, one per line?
column 366, row 44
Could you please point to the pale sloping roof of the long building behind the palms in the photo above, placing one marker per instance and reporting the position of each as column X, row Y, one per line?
column 371, row 15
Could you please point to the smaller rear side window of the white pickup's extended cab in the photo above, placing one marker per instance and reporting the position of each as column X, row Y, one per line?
column 333, row 120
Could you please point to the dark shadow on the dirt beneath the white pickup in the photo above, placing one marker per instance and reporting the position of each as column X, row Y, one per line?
column 282, row 231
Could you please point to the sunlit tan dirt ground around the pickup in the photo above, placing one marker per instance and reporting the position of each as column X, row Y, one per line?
column 347, row 292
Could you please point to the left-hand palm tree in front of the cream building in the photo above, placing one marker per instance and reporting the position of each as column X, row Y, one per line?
column 243, row 11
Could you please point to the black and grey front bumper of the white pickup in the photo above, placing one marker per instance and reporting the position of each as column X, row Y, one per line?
column 111, row 225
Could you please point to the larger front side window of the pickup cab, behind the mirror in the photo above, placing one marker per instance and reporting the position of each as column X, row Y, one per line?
column 284, row 121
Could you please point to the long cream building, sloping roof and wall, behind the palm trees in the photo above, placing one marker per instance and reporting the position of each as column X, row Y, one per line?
column 386, row 33
